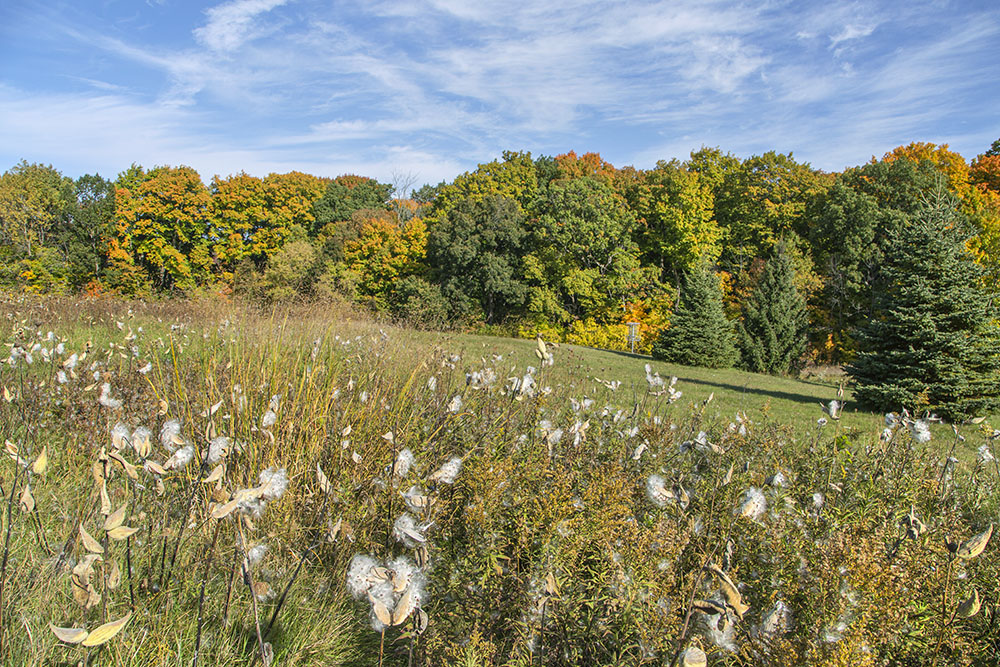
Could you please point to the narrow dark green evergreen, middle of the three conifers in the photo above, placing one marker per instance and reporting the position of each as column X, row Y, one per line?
column 772, row 334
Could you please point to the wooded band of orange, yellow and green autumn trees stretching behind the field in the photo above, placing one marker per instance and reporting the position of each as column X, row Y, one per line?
column 788, row 262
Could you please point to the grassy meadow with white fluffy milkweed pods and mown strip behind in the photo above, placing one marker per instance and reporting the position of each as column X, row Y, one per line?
column 195, row 483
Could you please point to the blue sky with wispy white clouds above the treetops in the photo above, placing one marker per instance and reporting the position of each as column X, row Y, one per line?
column 426, row 89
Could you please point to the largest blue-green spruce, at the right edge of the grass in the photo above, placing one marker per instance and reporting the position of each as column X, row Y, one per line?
column 933, row 343
